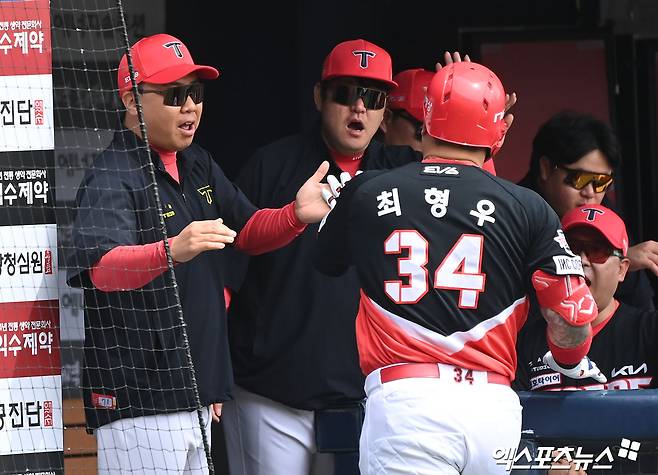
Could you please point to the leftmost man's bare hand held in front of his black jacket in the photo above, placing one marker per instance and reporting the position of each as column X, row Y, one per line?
column 200, row 236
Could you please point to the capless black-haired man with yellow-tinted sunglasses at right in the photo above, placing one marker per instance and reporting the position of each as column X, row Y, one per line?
column 573, row 159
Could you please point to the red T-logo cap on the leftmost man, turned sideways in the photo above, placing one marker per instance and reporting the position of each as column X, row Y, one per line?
column 160, row 59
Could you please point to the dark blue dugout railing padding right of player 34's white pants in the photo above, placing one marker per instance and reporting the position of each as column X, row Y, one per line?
column 624, row 422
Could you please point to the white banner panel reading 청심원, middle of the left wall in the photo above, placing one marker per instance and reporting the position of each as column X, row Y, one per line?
column 28, row 267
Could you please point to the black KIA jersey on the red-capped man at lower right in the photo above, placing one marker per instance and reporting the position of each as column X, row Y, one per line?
column 625, row 349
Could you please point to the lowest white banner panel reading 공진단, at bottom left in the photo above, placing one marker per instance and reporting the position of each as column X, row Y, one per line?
column 31, row 415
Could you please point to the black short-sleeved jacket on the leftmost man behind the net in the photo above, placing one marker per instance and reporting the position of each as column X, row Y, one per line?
column 135, row 362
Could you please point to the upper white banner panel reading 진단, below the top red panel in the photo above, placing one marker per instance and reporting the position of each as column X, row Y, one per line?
column 26, row 113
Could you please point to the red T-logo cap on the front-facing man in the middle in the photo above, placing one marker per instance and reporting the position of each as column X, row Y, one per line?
column 361, row 59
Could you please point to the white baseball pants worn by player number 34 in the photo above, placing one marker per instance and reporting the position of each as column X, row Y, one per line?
column 437, row 425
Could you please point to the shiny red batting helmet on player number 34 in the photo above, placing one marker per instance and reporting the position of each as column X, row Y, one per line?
column 465, row 105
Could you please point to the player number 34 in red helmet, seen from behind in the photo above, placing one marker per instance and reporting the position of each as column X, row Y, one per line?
column 447, row 256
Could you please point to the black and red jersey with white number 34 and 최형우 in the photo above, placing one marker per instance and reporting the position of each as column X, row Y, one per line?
column 444, row 252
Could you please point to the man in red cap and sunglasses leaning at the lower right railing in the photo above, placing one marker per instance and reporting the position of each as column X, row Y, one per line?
column 623, row 336
